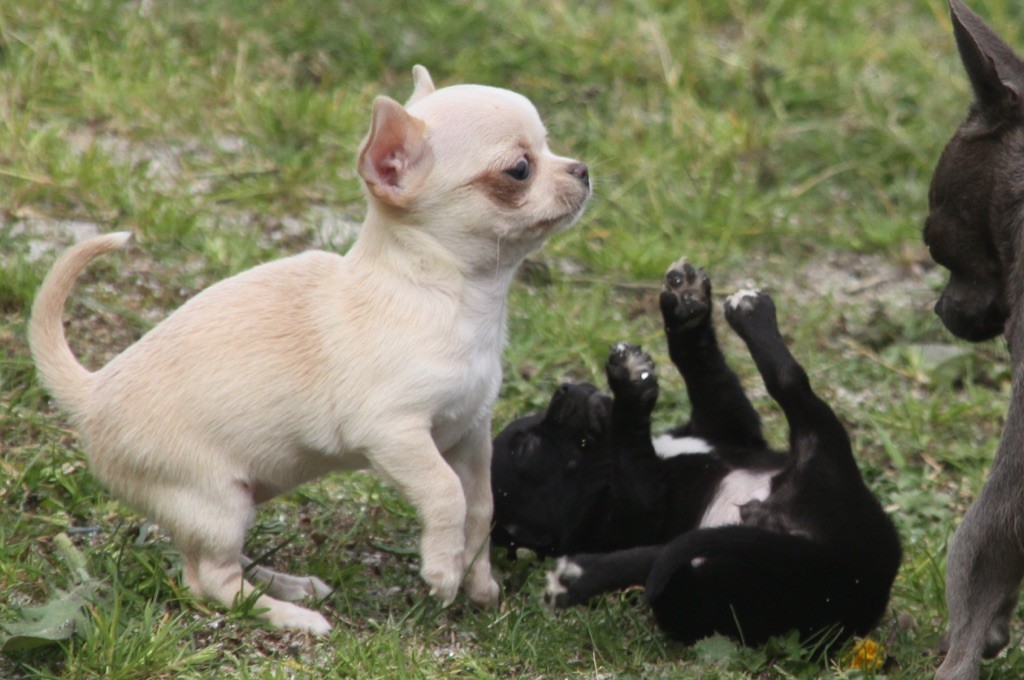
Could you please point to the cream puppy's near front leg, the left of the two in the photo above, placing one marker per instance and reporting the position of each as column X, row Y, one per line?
column 411, row 461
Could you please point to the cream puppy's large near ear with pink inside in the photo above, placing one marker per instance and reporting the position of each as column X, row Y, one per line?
column 395, row 159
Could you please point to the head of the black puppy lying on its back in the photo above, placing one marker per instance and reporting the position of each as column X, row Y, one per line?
column 549, row 471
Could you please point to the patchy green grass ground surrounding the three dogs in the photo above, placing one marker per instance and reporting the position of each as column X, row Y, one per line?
column 783, row 143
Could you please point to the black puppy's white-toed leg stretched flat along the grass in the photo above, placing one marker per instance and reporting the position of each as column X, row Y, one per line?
column 579, row 578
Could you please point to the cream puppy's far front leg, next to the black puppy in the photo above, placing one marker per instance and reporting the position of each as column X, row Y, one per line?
column 472, row 461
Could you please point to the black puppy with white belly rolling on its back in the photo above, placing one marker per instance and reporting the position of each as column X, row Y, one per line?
column 727, row 535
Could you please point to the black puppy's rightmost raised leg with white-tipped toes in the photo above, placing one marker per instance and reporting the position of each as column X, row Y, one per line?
column 814, row 426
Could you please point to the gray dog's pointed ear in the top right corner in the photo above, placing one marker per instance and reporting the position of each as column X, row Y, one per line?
column 997, row 73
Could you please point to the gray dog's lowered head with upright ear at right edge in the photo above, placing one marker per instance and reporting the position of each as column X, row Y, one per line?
column 978, row 185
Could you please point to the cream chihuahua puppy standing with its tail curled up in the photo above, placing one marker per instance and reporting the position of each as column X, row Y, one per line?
column 388, row 358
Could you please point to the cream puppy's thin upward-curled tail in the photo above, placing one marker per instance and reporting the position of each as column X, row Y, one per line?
column 62, row 373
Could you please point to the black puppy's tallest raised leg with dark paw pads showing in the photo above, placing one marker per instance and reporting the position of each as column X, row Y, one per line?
column 719, row 408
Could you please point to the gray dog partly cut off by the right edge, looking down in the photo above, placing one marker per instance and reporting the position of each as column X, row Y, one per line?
column 974, row 229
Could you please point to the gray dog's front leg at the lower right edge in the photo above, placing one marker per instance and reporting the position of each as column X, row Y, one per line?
column 987, row 557
